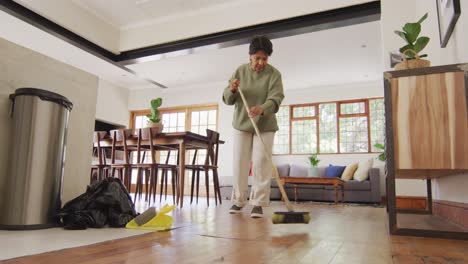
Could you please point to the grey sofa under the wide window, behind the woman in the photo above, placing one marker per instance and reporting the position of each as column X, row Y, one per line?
column 367, row 191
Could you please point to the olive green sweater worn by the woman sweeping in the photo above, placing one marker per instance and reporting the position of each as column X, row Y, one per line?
column 264, row 89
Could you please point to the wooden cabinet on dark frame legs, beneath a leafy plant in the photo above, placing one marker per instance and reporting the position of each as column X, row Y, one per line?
column 426, row 128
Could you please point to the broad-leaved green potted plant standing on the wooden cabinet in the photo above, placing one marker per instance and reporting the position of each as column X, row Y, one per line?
column 414, row 45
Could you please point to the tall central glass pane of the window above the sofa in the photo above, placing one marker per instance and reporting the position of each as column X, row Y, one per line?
column 328, row 128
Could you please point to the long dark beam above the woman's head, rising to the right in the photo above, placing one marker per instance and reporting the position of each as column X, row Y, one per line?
column 340, row 17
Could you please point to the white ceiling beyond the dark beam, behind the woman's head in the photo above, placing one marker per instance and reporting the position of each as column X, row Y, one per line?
column 341, row 55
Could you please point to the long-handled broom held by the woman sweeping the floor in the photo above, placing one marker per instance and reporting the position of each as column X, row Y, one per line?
column 289, row 217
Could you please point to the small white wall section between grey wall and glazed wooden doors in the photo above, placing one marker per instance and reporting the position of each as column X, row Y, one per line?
column 112, row 103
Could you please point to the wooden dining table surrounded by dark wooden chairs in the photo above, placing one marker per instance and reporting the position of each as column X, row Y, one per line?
column 182, row 141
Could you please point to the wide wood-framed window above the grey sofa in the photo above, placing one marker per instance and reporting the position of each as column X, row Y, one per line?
column 333, row 127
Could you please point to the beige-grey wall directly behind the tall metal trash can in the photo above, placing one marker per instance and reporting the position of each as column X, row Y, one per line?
column 20, row 67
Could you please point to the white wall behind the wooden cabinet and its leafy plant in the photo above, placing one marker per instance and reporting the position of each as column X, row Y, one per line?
column 451, row 188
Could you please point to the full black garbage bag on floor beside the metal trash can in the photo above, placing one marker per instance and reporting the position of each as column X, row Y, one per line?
column 106, row 202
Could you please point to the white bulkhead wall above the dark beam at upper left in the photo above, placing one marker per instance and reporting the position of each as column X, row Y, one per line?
column 80, row 21
